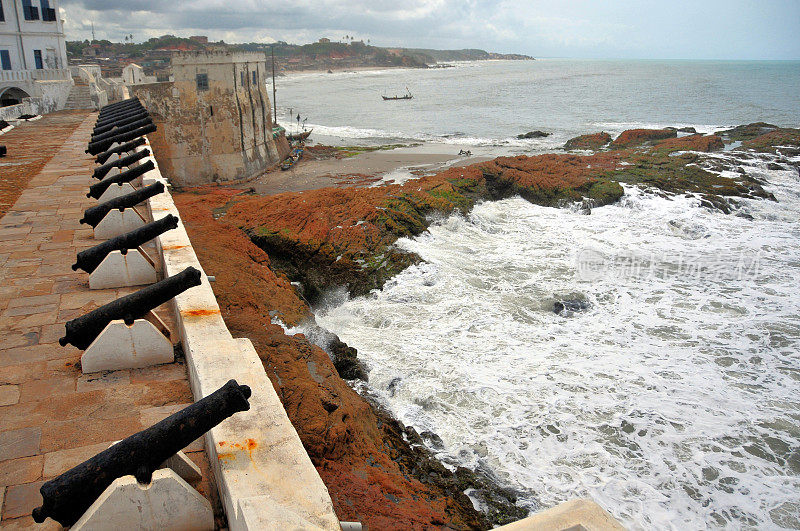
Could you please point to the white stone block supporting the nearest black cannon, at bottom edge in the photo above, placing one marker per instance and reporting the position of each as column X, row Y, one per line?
column 167, row 503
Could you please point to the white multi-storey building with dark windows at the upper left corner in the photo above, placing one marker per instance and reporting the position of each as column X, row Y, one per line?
column 33, row 54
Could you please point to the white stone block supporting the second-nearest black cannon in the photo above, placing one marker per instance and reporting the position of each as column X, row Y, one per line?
column 120, row 346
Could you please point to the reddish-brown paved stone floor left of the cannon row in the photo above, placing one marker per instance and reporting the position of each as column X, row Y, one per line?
column 52, row 416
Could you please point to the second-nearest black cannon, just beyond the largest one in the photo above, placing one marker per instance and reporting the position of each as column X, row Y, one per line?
column 82, row 330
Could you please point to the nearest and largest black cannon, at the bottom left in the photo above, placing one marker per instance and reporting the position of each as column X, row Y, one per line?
column 67, row 497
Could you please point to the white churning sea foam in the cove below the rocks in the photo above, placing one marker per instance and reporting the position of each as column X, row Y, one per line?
column 672, row 400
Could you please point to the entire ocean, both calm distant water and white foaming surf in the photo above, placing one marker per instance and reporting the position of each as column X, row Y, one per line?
column 672, row 397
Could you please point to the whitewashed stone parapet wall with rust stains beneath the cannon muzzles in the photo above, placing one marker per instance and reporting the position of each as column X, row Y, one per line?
column 266, row 479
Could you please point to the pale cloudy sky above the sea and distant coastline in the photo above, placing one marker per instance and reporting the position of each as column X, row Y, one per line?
column 677, row 29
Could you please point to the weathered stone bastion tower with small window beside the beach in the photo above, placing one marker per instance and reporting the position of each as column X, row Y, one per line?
column 214, row 119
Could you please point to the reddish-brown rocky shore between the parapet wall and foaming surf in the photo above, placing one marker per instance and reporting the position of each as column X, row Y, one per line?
column 276, row 256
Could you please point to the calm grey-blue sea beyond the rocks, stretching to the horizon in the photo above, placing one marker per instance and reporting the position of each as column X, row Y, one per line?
column 488, row 103
